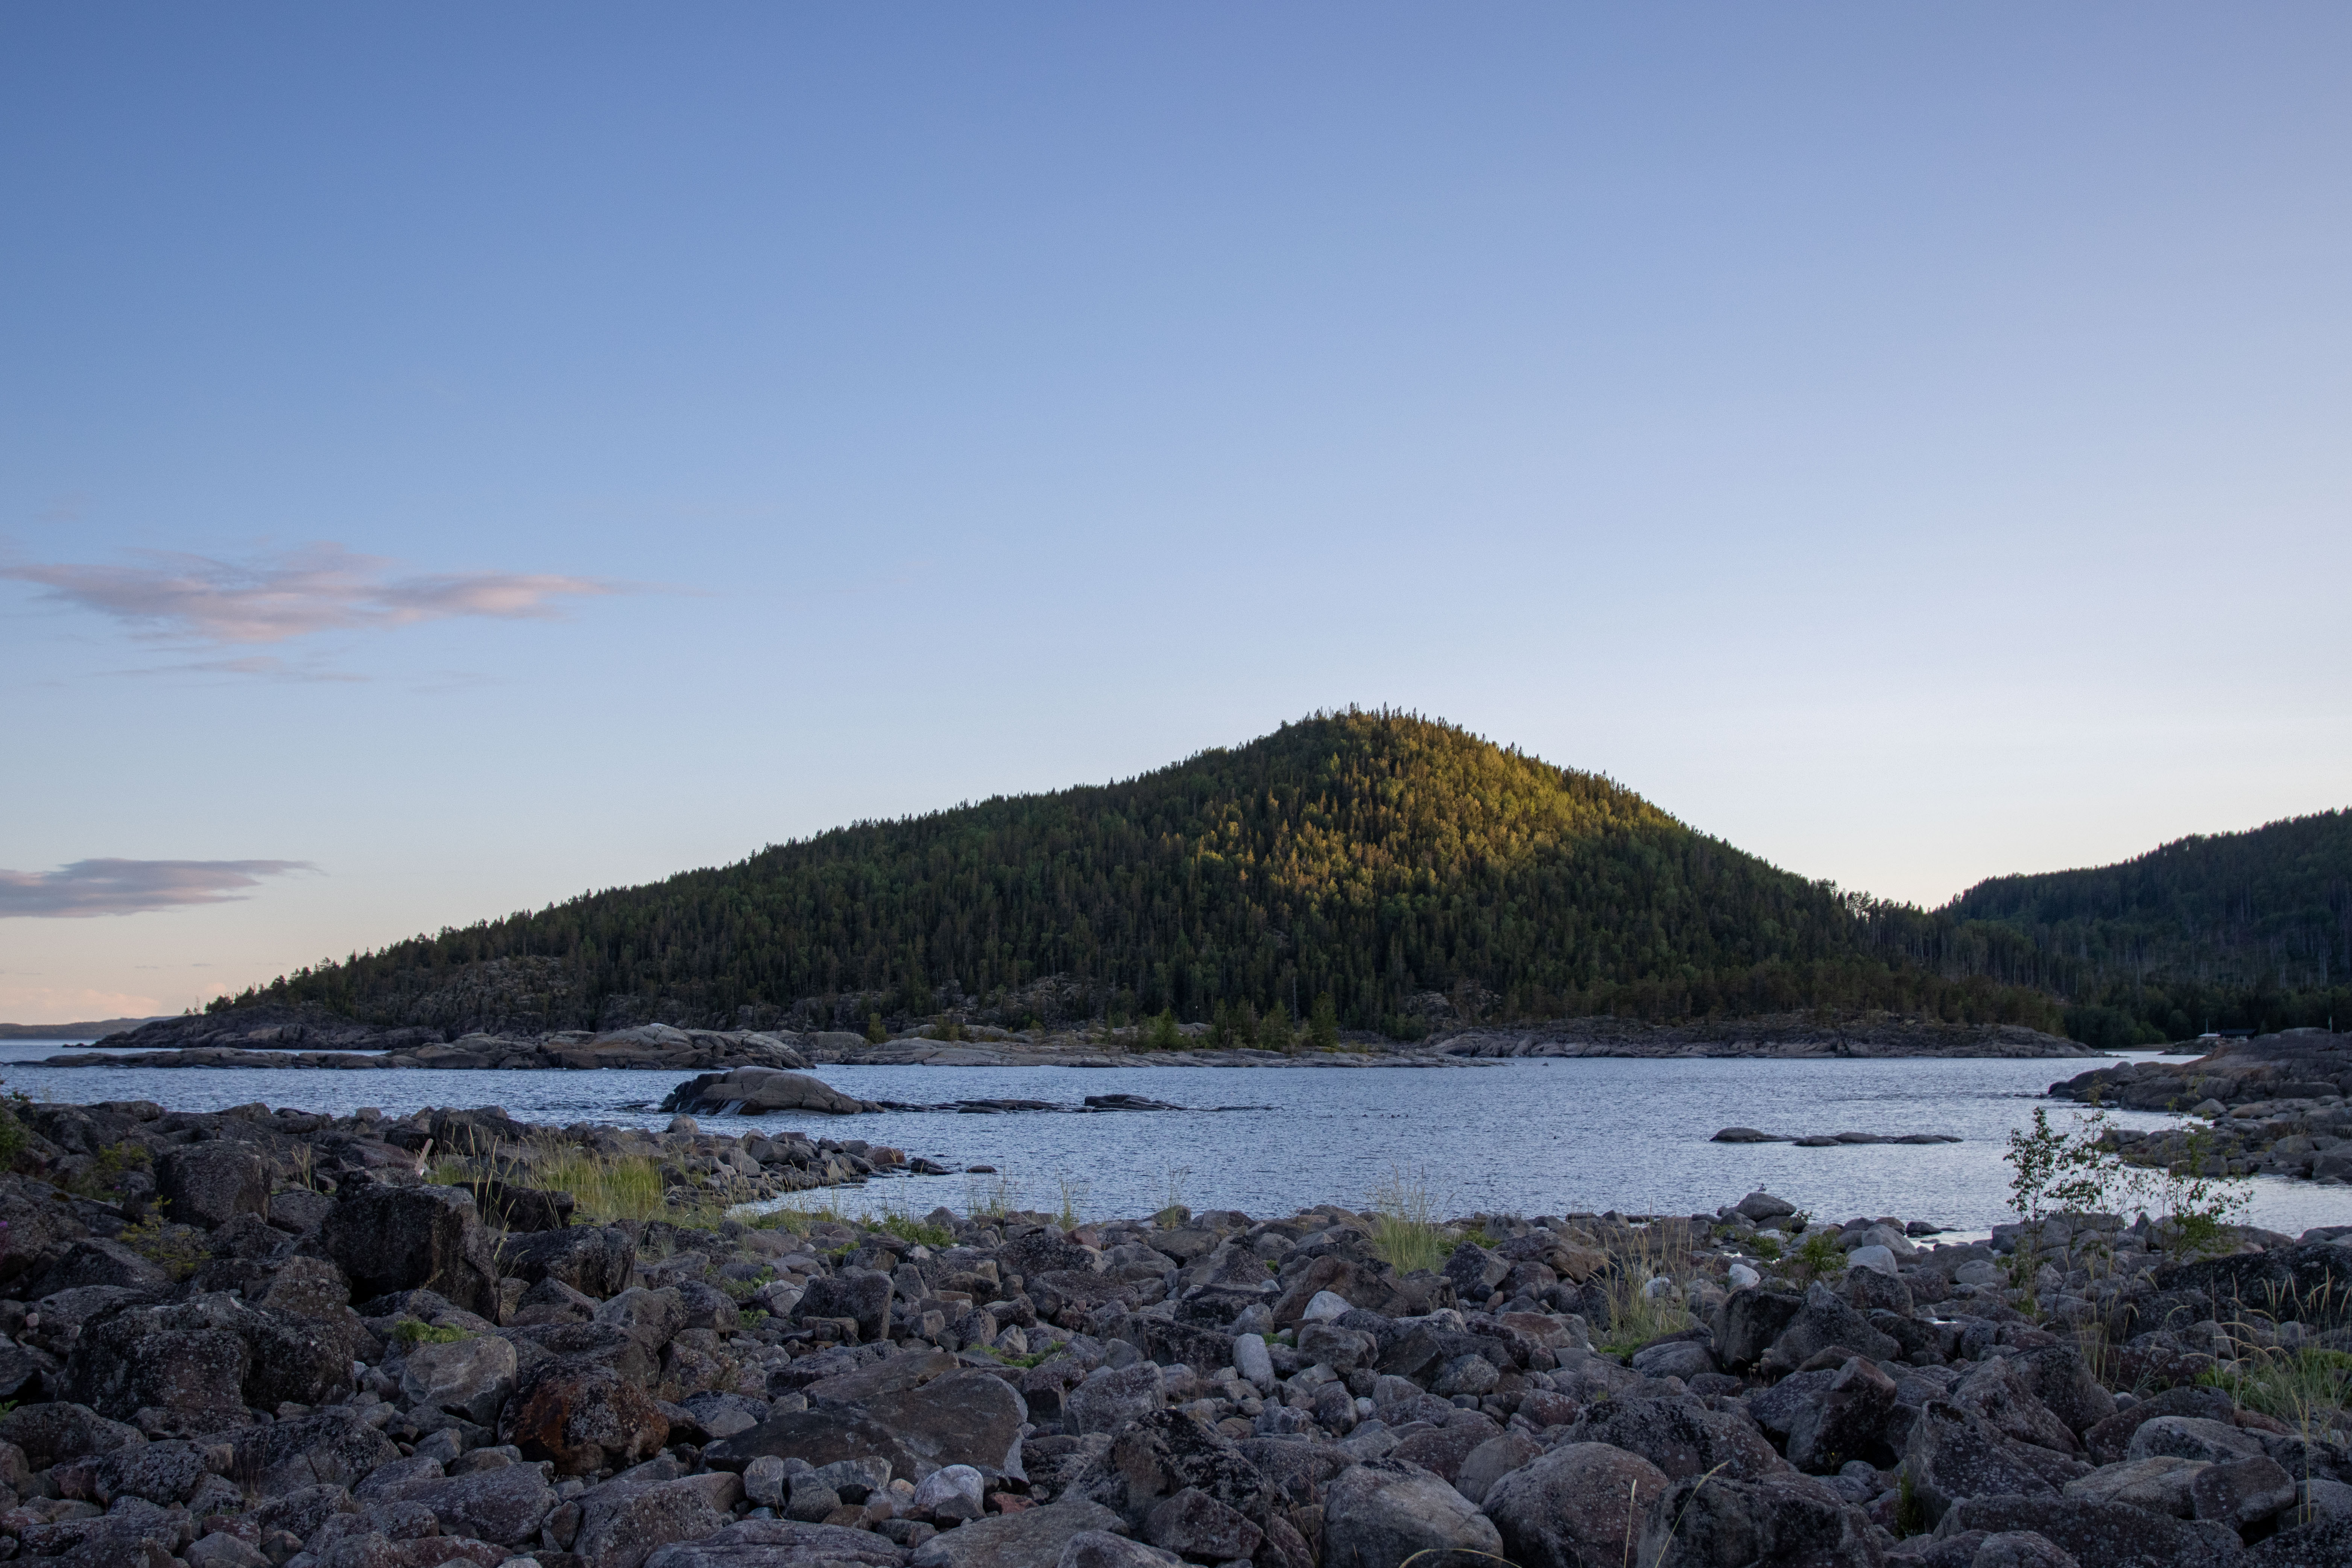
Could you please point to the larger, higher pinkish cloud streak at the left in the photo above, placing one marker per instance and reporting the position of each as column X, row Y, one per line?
column 307, row 591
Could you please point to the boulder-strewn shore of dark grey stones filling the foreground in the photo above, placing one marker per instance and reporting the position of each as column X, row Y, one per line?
column 267, row 1339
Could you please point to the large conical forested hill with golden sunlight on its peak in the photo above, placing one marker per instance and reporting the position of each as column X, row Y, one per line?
column 1387, row 862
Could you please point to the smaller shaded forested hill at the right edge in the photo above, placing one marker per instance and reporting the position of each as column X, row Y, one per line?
column 2233, row 930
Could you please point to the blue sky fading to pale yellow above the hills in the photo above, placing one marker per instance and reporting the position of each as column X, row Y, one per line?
column 455, row 457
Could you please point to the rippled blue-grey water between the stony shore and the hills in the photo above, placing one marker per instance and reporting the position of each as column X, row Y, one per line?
column 1521, row 1137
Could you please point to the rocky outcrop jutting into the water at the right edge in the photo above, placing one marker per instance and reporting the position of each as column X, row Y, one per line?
column 2273, row 1106
